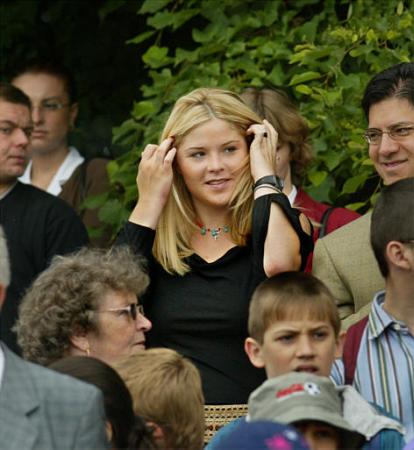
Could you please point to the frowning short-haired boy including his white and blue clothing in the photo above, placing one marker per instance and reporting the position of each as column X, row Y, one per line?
column 294, row 326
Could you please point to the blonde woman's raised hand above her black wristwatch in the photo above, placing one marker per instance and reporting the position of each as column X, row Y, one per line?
column 263, row 149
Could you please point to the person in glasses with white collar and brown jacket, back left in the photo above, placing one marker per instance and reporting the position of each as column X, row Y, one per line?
column 57, row 167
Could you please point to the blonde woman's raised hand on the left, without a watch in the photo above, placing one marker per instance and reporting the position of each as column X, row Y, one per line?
column 154, row 181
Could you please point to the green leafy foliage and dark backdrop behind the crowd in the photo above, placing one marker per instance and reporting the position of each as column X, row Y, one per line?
column 322, row 52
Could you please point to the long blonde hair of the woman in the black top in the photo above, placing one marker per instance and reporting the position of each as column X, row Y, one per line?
column 177, row 221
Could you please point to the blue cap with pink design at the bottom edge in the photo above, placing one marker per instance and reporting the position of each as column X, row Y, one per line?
column 262, row 435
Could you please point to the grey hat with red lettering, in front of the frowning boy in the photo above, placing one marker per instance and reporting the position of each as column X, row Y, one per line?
column 300, row 396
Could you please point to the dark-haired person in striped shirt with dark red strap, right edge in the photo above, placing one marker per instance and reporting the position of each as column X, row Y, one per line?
column 384, row 356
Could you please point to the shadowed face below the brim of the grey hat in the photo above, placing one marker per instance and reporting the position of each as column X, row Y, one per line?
column 318, row 435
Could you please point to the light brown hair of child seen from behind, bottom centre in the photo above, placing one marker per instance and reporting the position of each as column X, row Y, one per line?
column 166, row 389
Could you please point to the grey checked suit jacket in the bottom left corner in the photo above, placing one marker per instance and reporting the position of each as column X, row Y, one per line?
column 41, row 409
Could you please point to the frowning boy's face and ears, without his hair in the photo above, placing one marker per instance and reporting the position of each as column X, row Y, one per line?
column 296, row 346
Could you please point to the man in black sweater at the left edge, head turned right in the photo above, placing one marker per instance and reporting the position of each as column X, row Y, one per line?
column 37, row 225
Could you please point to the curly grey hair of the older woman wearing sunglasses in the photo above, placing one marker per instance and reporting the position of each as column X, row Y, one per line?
column 62, row 299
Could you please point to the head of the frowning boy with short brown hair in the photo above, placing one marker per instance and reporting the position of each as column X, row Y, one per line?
column 293, row 326
